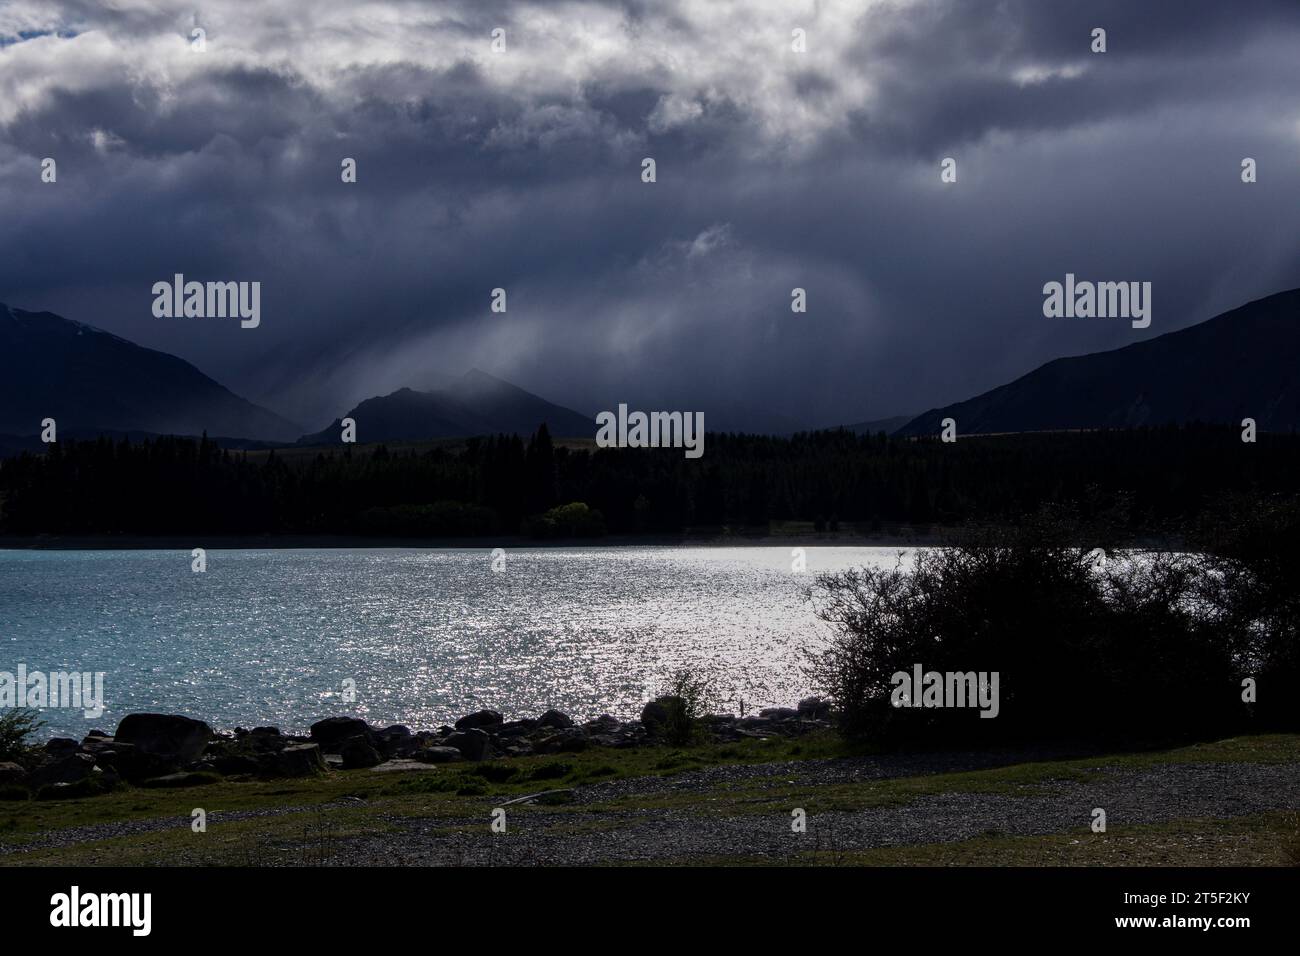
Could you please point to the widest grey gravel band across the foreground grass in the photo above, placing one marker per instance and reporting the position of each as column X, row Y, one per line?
column 1129, row 797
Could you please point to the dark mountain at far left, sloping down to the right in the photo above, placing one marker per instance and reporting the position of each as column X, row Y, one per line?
column 90, row 382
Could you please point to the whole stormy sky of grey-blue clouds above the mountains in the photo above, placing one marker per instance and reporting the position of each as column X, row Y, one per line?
column 522, row 170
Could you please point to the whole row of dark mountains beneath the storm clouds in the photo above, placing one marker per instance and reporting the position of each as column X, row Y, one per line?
column 1245, row 364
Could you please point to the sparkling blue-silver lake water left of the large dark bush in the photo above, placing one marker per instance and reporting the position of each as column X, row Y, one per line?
column 428, row 635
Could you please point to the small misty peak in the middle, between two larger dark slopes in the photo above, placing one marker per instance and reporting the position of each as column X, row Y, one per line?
column 476, row 404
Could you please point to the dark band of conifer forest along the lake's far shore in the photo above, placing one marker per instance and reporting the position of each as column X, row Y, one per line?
column 831, row 481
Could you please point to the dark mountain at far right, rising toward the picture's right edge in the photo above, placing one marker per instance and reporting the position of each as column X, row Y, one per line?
column 1245, row 364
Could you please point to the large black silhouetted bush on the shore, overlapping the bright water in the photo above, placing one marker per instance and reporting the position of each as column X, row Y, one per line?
column 1084, row 648
